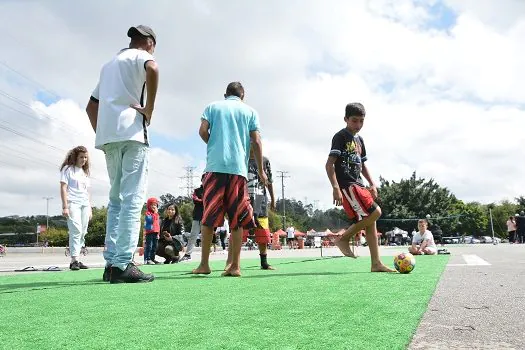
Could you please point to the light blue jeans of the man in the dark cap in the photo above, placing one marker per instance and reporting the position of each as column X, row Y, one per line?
column 127, row 164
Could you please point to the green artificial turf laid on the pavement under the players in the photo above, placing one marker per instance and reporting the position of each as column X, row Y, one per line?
column 310, row 303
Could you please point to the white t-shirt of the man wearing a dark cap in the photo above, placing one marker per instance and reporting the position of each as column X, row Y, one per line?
column 122, row 83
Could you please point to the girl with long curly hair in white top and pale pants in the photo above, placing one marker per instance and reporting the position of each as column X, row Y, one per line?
column 76, row 207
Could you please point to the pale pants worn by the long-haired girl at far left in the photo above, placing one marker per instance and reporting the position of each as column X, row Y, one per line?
column 77, row 224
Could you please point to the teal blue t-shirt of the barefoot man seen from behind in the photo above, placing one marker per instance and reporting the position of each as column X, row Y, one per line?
column 231, row 122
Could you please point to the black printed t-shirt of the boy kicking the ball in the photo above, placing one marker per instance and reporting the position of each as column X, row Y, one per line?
column 351, row 154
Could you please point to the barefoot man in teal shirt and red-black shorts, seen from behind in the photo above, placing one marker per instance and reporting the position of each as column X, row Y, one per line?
column 227, row 127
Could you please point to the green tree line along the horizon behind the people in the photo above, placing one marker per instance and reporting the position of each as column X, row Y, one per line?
column 402, row 203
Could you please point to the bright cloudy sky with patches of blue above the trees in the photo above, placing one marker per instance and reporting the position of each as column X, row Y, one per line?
column 443, row 83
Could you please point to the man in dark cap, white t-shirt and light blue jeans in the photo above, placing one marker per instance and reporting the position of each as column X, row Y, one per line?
column 120, row 119
